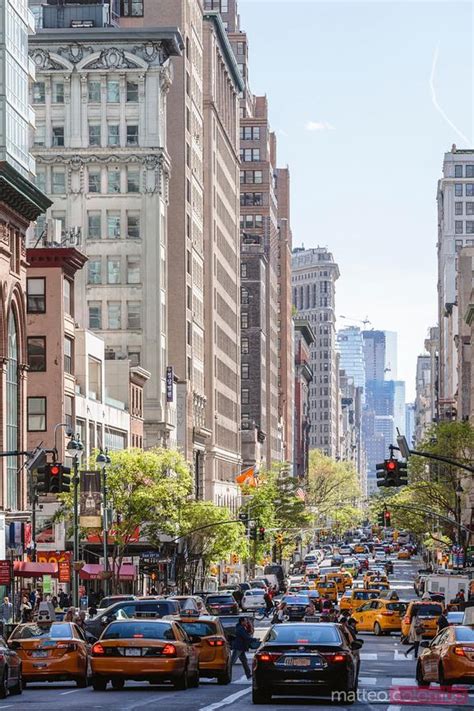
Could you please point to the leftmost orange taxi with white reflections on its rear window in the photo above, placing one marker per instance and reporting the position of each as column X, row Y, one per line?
column 51, row 651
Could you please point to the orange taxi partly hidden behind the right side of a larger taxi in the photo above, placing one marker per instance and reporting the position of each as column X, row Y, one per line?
column 208, row 637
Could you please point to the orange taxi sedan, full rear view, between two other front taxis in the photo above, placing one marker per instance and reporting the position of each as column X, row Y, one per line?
column 144, row 650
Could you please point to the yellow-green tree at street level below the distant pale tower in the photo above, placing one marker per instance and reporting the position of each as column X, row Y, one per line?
column 333, row 492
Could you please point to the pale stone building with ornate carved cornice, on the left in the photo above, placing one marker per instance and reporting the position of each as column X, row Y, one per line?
column 100, row 146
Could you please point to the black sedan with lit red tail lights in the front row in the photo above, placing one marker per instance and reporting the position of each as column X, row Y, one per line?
column 305, row 659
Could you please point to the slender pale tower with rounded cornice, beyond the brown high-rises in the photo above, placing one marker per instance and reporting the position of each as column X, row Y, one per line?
column 314, row 276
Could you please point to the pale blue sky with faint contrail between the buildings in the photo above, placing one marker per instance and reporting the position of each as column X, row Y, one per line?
column 350, row 95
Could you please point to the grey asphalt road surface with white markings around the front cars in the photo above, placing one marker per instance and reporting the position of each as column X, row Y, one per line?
column 386, row 683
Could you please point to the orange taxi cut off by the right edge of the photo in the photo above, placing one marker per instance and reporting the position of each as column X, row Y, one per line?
column 448, row 659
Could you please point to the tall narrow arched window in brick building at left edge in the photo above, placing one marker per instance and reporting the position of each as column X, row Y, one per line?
column 12, row 412
